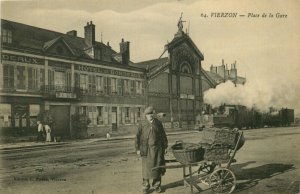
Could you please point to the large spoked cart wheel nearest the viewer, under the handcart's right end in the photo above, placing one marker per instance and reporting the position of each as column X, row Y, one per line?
column 222, row 180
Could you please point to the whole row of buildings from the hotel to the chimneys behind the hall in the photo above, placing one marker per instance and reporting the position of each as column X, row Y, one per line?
column 43, row 70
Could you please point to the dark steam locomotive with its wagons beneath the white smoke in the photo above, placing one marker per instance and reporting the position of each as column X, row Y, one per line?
column 238, row 116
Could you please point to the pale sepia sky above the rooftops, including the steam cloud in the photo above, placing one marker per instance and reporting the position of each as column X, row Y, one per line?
column 266, row 48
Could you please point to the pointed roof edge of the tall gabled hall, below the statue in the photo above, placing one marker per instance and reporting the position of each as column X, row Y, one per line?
column 184, row 38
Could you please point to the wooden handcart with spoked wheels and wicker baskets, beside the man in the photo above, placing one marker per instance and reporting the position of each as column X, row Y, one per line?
column 212, row 171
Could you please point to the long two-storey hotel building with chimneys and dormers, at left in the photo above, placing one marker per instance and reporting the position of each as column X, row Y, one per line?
column 43, row 70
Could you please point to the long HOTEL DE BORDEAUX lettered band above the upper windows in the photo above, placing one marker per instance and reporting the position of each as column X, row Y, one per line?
column 108, row 71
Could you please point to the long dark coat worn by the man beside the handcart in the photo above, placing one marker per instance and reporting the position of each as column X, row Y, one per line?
column 152, row 142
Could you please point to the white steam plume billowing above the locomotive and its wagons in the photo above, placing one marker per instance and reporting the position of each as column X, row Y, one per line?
column 253, row 93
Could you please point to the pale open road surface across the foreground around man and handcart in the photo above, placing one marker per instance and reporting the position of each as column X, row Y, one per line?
column 268, row 163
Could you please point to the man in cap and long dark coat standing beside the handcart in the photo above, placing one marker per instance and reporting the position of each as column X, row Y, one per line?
column 151, row 144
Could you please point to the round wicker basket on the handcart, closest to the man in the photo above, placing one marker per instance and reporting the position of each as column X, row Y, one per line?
column 187, row 152
